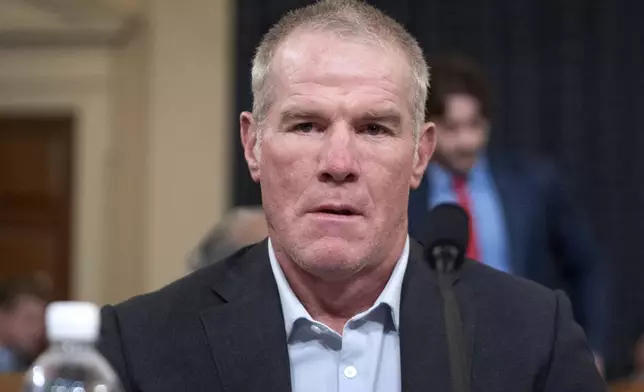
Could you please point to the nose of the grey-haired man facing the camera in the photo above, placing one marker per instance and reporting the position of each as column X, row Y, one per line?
column 338, row 162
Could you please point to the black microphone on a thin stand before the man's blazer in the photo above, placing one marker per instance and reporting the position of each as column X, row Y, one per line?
column 445, row 246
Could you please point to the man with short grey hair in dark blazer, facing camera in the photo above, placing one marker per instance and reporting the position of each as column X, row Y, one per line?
column 338, row 298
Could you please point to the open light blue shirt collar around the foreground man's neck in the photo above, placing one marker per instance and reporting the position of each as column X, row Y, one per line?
column 293, row 309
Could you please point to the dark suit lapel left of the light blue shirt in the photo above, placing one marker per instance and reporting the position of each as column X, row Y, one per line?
column 246, row 335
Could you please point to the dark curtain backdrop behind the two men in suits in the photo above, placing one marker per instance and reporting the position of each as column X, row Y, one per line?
column 568, row 77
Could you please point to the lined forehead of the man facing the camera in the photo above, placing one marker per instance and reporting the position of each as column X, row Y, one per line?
column 310, row 64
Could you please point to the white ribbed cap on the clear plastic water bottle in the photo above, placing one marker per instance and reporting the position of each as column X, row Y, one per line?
column 76, row 321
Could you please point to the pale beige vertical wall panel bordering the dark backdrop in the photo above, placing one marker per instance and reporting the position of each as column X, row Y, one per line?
column 190, row 96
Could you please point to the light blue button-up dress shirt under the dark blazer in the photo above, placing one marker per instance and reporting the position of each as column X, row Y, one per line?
column 366, row 357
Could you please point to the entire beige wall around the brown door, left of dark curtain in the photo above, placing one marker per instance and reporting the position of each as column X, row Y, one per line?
column 152, row 140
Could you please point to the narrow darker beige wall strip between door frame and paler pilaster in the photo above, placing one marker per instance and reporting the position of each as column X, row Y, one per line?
column 127, row 176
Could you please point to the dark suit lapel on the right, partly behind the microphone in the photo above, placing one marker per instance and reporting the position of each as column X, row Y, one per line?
column 423, row 338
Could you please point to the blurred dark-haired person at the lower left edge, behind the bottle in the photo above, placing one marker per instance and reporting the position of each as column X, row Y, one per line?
column 22, row 319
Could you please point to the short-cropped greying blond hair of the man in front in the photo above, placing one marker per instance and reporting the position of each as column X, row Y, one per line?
column 346, row 18
